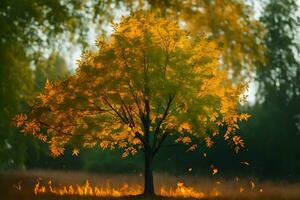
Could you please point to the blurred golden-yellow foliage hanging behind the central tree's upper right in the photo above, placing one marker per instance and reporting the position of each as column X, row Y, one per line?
column 231, row 23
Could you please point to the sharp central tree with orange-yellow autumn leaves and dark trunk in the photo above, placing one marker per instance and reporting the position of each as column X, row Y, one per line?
column 149, row 81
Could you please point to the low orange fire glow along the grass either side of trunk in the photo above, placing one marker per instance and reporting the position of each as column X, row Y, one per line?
column 181, row 190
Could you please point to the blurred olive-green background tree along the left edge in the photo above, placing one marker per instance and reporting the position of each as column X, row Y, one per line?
column 22, row 23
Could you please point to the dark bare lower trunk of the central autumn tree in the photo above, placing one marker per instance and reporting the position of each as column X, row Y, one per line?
column 148, row 175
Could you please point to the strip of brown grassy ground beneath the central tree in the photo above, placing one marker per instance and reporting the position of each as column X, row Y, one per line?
column 19, row 185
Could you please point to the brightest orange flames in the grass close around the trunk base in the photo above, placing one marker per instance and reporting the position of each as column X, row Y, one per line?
column 88, row 190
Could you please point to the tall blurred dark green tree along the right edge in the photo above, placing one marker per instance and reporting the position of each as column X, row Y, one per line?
column 275, row 130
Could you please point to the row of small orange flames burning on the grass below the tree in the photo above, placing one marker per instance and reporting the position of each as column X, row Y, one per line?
column 86, row 189
